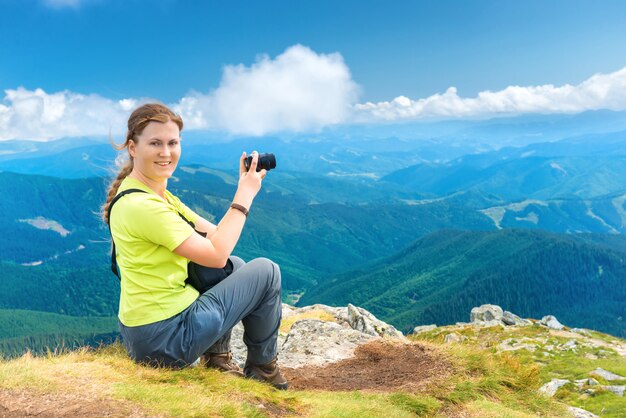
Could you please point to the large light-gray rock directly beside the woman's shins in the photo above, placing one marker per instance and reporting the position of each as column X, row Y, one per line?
column 312, row 342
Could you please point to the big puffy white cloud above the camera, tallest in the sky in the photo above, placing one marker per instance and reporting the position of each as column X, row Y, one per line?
column 298, row 90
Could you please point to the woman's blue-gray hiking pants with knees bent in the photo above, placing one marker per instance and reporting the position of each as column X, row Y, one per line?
column 251, row 294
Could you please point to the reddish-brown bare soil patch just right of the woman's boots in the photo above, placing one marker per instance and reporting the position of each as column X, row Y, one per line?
column 377, row 366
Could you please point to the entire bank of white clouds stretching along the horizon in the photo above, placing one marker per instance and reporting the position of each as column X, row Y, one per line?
column 298, row 91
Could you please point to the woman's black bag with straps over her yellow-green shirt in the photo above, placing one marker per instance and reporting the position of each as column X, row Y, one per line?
column 201, row 277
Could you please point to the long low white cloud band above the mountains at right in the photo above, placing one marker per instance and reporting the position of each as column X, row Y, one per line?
column 601, row 91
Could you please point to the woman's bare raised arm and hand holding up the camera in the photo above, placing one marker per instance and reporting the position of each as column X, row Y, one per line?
column 214, row 250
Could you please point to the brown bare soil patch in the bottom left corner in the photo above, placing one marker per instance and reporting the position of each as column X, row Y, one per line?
column 25, row 403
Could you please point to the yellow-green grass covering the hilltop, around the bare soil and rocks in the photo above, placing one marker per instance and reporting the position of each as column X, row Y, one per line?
column 483, row 383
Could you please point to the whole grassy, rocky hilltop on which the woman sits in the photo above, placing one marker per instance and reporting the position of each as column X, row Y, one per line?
column 481, row 368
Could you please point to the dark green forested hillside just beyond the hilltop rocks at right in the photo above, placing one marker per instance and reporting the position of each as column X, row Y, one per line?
column 440, row 277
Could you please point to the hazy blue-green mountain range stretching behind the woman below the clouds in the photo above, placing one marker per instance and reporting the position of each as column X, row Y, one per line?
column 410, row 221
